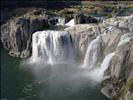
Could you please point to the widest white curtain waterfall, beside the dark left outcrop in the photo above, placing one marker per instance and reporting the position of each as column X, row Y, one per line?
column 52, row 47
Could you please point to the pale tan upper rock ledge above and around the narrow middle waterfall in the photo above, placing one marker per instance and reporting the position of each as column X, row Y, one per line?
column 110, row 29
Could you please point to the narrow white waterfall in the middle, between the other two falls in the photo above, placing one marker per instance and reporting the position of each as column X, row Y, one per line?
column 94, row 53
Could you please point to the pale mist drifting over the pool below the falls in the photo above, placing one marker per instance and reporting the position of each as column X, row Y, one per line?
column 64, row 80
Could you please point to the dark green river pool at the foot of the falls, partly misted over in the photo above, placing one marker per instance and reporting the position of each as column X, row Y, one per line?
column 22, row 82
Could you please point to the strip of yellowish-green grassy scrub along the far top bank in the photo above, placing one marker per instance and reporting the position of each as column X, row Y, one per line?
column 107, row 10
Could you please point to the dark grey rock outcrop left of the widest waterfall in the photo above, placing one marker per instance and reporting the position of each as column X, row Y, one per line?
column 16, row 34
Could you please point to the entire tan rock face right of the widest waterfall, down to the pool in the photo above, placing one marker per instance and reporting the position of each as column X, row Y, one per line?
column 117, row 35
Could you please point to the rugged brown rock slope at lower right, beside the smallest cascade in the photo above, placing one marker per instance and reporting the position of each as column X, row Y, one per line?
column 117, row 74
